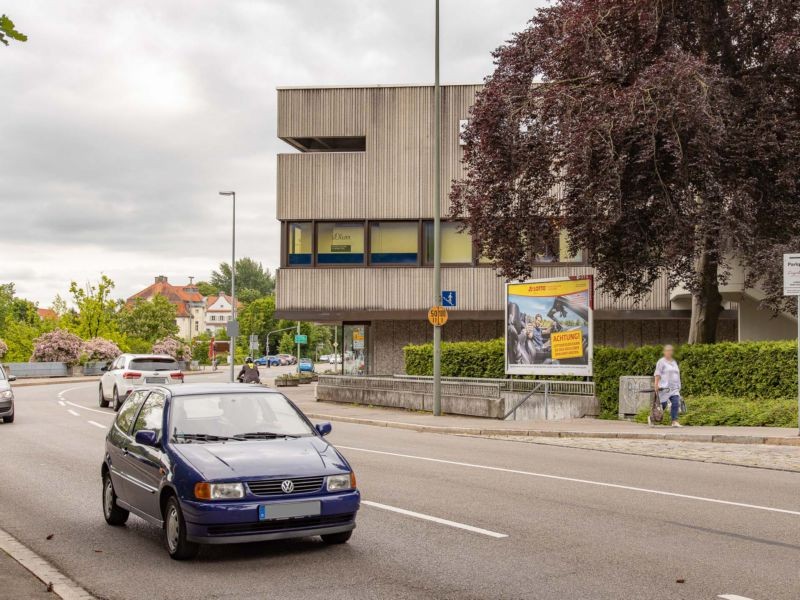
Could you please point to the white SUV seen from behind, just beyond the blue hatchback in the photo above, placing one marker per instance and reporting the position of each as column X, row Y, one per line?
column 129, row 370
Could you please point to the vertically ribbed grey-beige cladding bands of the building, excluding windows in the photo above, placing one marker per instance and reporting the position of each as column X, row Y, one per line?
column 392, row 179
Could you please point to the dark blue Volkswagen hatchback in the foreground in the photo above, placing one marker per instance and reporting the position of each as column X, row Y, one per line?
column 225, row 463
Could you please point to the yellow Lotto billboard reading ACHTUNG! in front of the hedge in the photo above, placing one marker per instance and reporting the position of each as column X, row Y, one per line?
column 549, row 327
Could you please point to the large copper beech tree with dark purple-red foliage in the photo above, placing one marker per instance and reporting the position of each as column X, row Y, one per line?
column 662, row 135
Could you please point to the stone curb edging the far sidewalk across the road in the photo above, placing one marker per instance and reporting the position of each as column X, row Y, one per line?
column 628, row 435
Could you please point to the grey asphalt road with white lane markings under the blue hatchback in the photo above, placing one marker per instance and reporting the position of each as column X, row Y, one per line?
column 488, row 519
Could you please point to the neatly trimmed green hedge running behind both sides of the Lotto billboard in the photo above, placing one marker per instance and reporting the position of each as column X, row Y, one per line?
column 751, row 370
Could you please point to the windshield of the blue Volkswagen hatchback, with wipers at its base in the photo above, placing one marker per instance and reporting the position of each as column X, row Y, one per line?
column 235, row 416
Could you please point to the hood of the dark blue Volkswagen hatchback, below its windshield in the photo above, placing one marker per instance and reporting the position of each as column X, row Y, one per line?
column 263, row 459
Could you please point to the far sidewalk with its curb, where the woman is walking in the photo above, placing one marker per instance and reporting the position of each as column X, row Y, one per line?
column 303, row 396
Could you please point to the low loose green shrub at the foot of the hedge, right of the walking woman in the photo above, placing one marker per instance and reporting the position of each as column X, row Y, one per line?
column 724, row 410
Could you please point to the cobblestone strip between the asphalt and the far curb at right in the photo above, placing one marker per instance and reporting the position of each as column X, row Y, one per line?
column 782, row 458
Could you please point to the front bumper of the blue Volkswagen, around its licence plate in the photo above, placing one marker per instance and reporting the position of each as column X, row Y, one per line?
column 236, row 522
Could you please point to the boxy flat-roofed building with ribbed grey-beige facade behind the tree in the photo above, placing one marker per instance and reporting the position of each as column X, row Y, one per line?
column 356, row 207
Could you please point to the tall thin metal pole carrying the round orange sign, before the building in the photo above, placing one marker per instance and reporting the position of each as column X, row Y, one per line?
column 437, row 231
